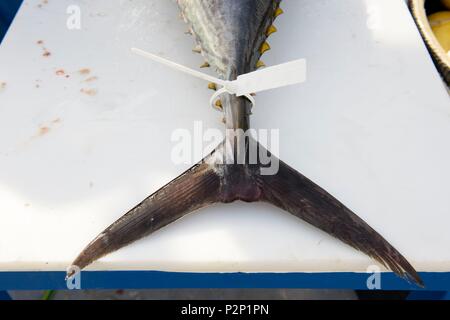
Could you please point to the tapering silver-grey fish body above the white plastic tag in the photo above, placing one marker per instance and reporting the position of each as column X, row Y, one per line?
column 229, row 33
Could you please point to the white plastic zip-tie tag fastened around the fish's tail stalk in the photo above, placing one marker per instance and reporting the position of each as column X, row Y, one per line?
column 278, row 76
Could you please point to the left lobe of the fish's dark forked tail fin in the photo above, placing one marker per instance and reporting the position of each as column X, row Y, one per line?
column 196, row 188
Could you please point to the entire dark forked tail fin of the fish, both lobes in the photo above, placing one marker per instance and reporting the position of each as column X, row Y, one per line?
column 209, row 182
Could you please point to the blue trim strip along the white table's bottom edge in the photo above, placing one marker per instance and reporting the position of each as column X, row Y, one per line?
column 170, row 280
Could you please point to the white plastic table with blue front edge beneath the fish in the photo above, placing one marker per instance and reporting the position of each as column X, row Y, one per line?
column 85, row 134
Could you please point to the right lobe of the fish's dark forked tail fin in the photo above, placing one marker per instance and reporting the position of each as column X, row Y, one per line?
column 296, row 194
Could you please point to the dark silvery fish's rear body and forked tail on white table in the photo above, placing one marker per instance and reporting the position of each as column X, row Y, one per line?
column 229, row 34
